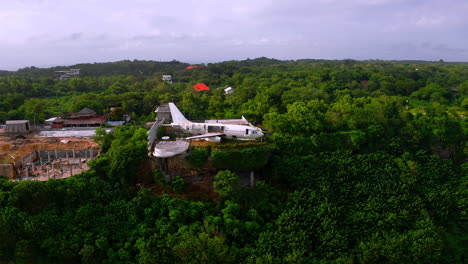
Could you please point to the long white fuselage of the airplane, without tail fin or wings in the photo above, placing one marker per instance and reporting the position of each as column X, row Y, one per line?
column 229, row 131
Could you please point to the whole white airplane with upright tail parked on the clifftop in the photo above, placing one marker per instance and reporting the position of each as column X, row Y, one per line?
column 212, row 131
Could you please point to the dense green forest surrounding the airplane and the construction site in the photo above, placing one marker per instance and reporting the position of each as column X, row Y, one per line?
column 368, row 165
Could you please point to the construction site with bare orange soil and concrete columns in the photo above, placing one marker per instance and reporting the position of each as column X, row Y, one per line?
column 29, row 157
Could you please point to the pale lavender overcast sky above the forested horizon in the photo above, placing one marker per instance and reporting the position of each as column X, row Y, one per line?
column 64, row 32
